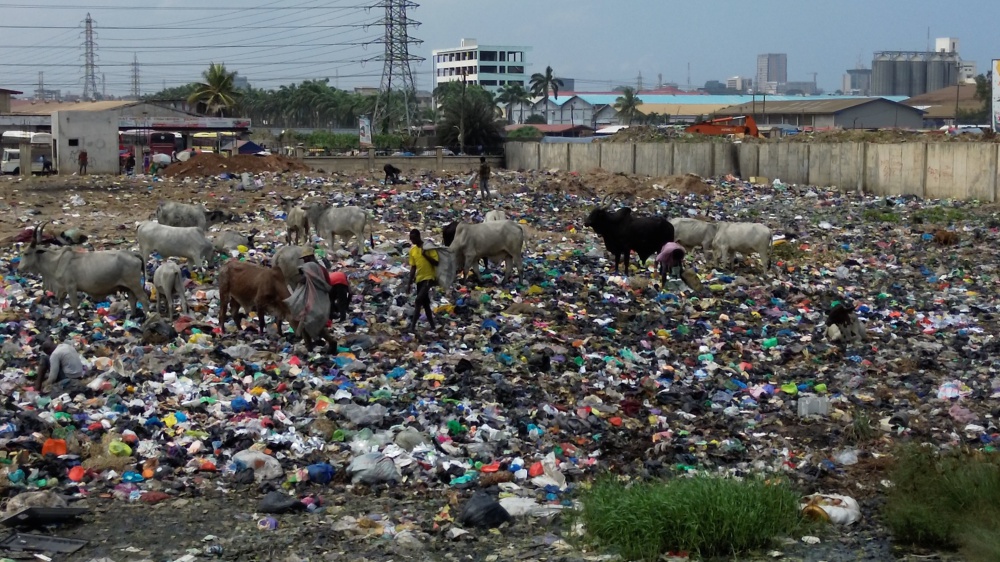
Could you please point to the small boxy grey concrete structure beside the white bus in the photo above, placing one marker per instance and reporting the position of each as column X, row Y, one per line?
column 94, row 131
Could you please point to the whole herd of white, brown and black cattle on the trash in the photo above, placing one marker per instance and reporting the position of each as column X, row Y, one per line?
column 181, row 230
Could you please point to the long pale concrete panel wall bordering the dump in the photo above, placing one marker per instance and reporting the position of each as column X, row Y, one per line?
column 943, row 170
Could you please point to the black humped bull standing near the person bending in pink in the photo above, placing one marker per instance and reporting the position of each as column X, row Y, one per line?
column 622, row 233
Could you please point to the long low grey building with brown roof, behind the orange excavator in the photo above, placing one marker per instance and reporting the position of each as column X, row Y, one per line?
column 856, row 113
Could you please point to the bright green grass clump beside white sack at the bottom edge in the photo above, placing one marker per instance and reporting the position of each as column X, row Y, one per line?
column 703, row 515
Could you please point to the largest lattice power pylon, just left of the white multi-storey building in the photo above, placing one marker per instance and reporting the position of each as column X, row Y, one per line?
column 396, row 72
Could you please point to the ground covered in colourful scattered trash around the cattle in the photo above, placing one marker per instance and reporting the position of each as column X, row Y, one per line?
column 526, row 392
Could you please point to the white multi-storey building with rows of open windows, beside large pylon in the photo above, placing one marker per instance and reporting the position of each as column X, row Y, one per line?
column 490, row 66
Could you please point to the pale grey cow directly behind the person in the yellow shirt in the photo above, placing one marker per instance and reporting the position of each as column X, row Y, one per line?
column 496, row 240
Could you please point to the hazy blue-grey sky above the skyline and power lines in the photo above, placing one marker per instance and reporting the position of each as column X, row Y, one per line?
column 596, row 42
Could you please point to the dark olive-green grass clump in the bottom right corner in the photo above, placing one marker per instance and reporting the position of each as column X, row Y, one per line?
column 946, row 501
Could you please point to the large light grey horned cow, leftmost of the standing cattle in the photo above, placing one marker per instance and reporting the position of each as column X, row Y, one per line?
column 98, row 274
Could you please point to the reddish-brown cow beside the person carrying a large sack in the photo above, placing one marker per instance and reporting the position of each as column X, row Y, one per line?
column 252, row 286
